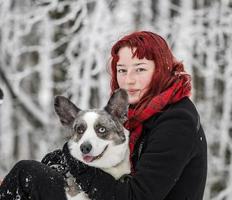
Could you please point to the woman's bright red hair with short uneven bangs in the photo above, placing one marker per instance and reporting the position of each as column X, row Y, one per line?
column 152, row 47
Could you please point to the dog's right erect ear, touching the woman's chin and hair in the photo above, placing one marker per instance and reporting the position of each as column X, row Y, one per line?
column 118, row 105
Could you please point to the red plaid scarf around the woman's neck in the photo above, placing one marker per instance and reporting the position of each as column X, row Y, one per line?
column 180, row 89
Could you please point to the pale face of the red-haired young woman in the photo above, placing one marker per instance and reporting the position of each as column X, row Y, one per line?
column 133, row 74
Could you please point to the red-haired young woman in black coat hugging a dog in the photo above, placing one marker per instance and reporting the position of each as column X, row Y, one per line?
column 167, row 143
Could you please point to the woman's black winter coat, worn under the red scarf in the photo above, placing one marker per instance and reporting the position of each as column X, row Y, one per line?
column 170, row 161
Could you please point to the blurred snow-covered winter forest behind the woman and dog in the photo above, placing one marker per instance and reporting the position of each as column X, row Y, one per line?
column 50, row 47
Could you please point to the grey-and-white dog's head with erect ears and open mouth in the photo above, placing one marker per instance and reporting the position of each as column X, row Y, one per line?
column 98, row 136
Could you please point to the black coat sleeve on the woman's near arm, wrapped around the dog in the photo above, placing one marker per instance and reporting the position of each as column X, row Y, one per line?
column 167, row 152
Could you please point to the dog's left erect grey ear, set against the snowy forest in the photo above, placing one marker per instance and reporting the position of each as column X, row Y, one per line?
column 66, row 110
